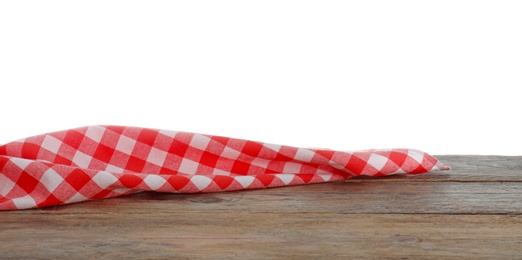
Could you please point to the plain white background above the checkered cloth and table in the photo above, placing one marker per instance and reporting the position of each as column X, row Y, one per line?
column 440, row 76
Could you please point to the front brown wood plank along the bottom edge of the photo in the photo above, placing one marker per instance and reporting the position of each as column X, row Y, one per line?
column 260, row 236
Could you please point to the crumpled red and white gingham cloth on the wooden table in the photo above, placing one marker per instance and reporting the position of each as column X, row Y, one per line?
column 98, row 162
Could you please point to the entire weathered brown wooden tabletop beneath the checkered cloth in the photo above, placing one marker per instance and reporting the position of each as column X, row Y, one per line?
column 473, row 211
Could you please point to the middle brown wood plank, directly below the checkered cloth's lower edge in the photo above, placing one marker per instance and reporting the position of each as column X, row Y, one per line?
column 339, row 197
